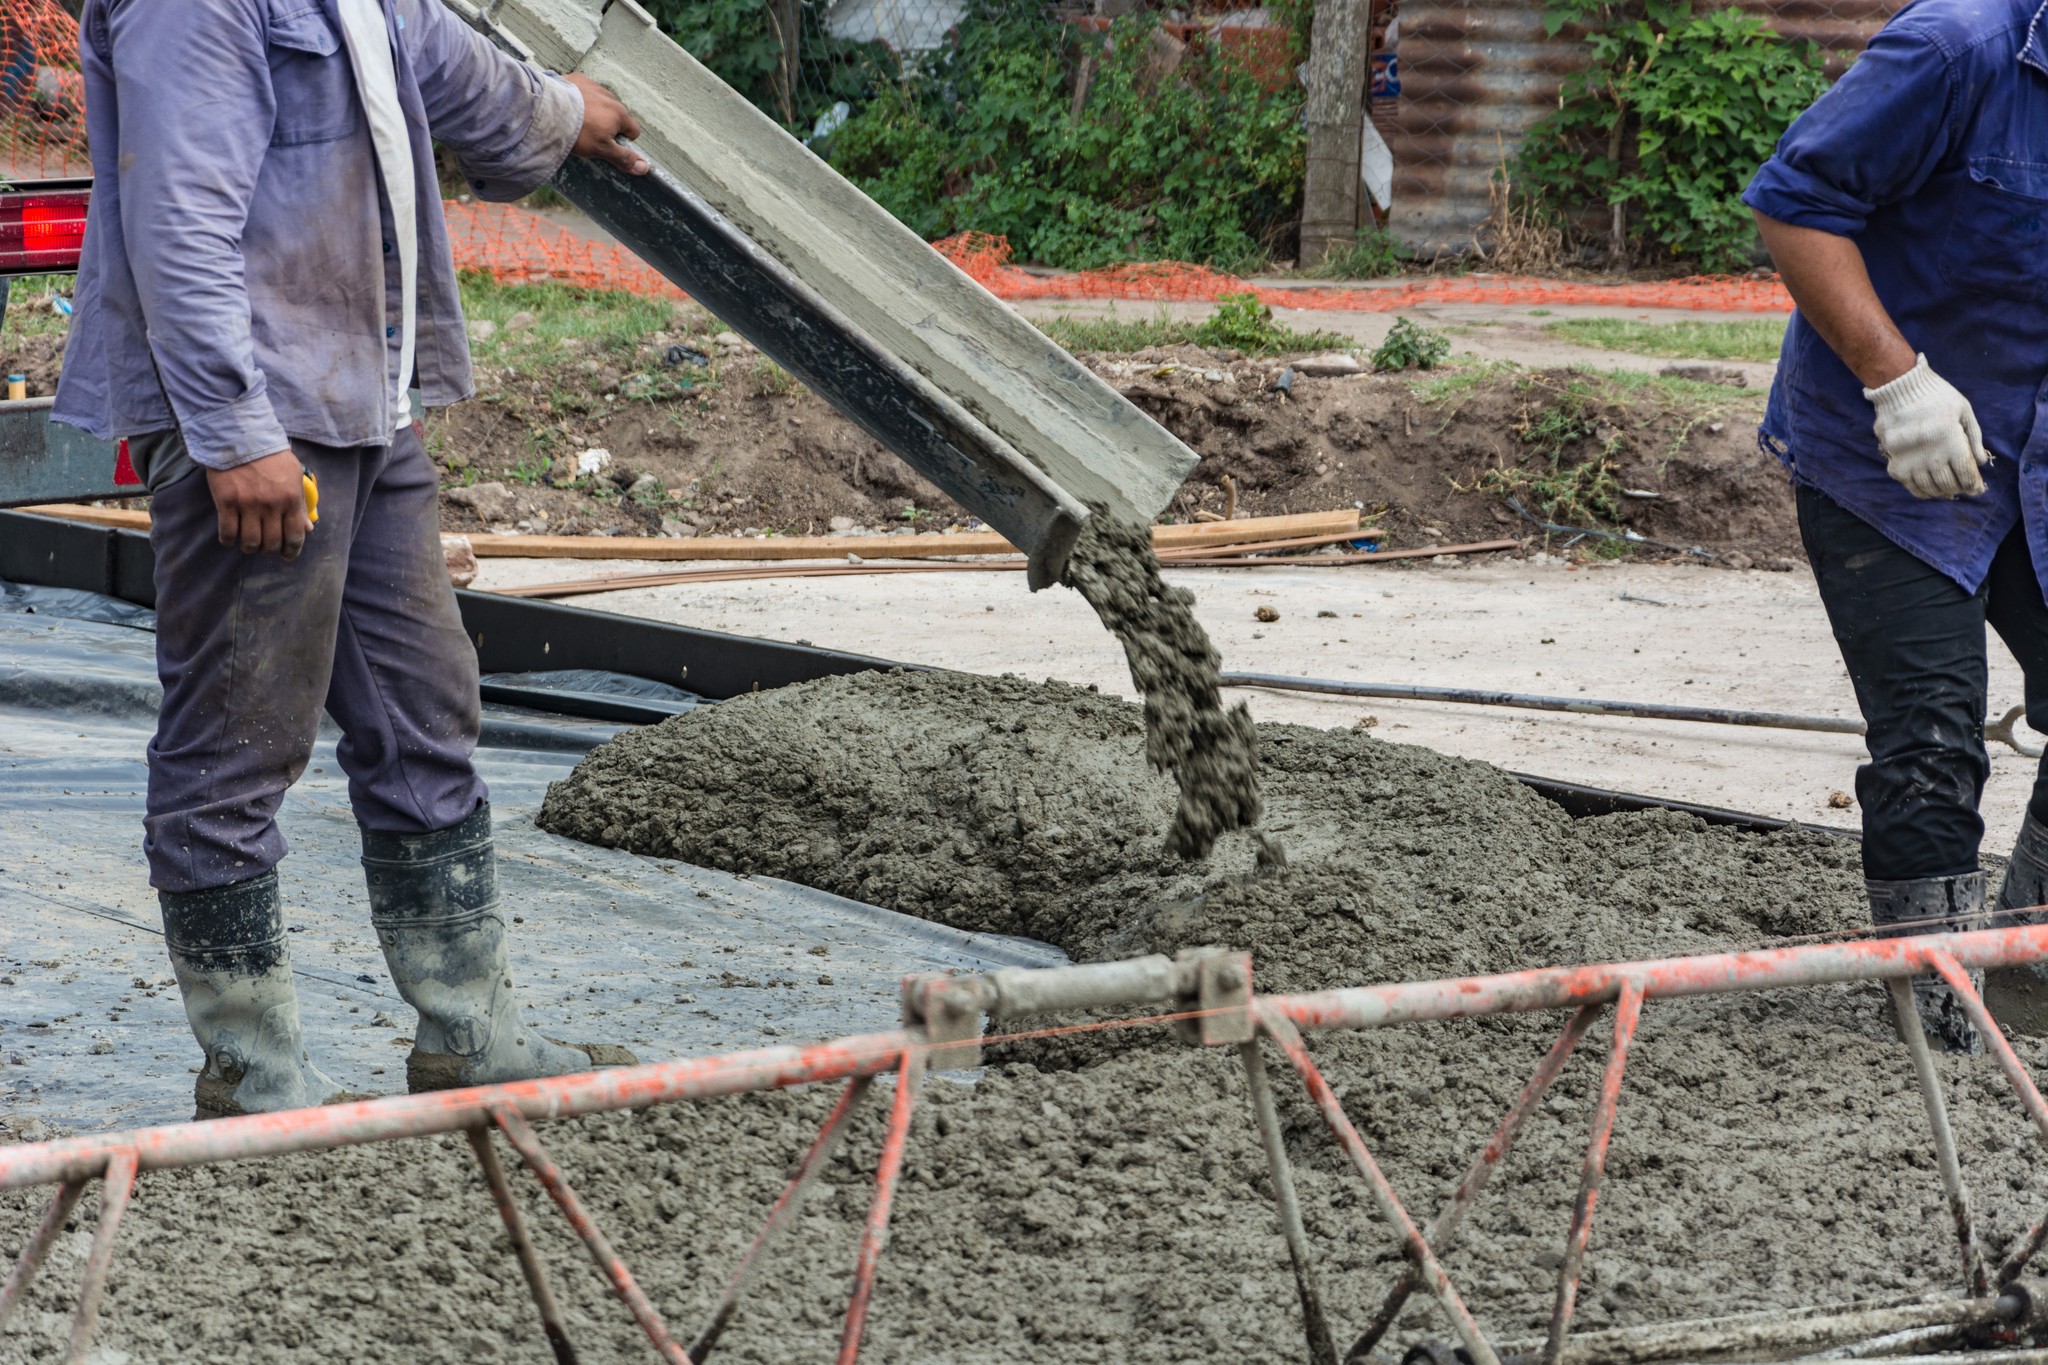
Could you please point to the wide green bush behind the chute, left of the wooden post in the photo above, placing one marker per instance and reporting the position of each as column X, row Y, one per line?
column 1199, row 165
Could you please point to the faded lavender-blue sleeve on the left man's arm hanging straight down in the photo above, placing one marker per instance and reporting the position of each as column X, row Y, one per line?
column 191, row 150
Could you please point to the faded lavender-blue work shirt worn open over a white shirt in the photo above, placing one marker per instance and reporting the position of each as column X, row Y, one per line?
column 232, row 279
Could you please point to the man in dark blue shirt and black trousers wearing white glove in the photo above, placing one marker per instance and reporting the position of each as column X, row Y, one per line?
column 1908, row 214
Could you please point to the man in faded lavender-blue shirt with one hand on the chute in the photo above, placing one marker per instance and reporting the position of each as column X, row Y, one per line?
column 265, row 275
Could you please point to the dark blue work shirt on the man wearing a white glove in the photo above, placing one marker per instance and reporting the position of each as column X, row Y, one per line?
column 1932, row 157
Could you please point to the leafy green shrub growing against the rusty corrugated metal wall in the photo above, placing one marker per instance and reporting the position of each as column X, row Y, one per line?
column 1668, row 124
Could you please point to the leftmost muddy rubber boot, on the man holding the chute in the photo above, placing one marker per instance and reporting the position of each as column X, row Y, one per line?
column 234, row 973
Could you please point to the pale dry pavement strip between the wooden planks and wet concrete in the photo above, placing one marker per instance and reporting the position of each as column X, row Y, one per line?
column 1646, row 633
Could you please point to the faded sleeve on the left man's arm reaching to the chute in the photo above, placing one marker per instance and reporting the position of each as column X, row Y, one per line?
column 509, row 126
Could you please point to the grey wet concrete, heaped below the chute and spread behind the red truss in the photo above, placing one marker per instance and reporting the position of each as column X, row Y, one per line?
column 1109, row 1202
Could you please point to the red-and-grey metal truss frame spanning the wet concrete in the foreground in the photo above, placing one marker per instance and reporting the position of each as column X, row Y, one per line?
column 1211, row 1002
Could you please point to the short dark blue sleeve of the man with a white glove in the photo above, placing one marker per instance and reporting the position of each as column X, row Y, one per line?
column 1869, row 142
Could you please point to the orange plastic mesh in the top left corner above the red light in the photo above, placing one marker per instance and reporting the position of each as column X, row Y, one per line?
column 42, row 93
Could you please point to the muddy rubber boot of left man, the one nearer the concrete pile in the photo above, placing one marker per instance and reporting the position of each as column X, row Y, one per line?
column 435, row 908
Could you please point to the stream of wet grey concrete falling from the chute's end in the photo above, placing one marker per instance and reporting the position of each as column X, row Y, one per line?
column 1177, row 670
